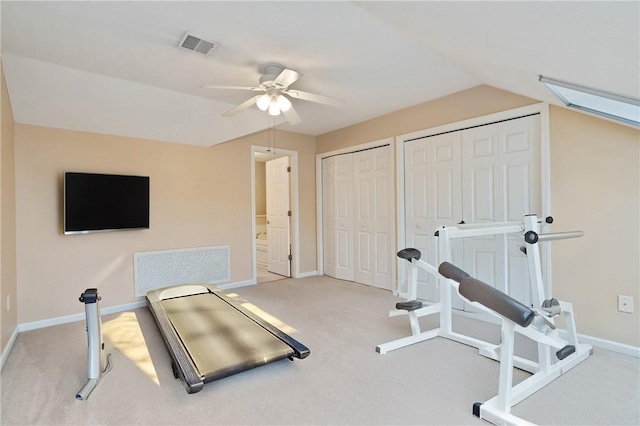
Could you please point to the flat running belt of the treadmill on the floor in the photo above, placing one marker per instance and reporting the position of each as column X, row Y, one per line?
column 220, row 340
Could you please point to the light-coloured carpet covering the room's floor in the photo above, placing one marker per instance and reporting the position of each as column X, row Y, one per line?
column 343, row 381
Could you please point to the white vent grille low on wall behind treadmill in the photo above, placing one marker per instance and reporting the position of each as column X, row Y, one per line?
column 158, row 269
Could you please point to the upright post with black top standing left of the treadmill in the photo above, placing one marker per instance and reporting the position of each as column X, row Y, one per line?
column 96, row 359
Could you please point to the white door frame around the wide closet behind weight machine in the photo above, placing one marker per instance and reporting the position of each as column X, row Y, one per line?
column 541, row 108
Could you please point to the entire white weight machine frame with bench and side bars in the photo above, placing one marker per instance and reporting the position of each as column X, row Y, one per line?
column 542, row 330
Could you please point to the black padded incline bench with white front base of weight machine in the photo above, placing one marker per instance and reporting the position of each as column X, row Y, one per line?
column 515, row 317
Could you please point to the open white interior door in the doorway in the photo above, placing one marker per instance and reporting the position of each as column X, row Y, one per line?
column 278, row 219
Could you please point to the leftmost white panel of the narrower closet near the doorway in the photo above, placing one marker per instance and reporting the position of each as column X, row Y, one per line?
column 328, row 217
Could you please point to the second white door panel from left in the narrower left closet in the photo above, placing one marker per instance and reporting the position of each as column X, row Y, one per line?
column 344, row 219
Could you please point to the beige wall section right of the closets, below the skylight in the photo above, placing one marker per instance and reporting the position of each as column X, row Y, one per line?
column 595, row 187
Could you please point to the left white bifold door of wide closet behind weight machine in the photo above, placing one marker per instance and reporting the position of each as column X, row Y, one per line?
column 433, row 198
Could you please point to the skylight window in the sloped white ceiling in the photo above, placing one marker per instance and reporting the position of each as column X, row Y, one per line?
column 610, row 105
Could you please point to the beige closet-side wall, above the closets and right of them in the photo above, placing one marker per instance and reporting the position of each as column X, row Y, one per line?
column 595, row 186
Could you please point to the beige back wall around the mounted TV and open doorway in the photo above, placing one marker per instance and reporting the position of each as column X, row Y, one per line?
column 199, row 197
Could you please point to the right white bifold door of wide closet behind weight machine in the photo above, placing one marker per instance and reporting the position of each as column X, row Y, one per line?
column 501, row 181
